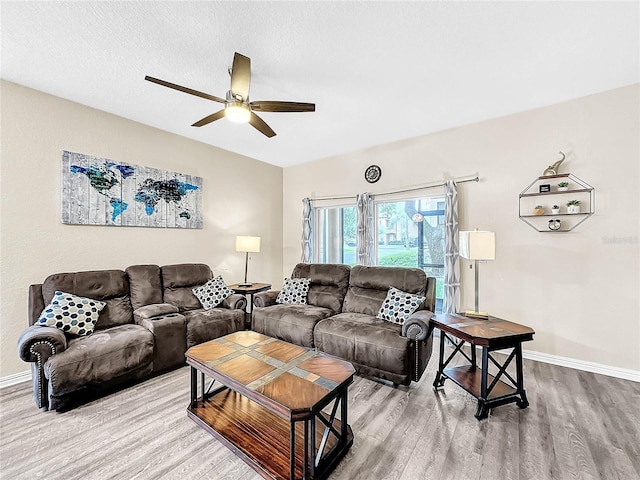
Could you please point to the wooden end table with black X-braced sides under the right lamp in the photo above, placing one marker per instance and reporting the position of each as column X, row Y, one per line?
column 490, row 334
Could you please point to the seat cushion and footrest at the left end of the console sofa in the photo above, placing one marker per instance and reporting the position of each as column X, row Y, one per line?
column 99, row 357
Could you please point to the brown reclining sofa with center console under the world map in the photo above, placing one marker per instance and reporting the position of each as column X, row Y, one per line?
column 150, row 319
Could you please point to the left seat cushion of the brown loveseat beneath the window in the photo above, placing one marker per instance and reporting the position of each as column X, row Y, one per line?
column 291, row 323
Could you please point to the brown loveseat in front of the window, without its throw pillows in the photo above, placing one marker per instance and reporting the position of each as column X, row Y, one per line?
column 340, row 318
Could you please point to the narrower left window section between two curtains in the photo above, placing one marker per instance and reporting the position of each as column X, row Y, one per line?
column 336, row 235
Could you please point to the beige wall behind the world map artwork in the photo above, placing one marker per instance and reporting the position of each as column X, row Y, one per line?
column 240, row 196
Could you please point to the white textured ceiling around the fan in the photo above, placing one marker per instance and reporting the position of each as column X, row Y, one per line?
column 377, row 71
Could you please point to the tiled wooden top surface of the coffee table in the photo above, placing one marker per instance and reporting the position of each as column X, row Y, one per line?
column 273, row 368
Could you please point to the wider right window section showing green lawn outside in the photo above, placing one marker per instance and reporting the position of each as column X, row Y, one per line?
column 411, row 234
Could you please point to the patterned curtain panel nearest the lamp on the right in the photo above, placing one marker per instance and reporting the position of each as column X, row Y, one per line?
column 451, row 258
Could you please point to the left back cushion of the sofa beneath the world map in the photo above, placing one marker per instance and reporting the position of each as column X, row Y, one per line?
column 109, row 286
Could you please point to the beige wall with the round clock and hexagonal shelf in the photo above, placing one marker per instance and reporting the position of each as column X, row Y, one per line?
column 578, row 290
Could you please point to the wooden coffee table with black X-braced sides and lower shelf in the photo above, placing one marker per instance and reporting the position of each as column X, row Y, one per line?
column 268, row 408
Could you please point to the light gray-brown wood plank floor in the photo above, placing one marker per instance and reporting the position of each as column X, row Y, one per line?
column 579, row 426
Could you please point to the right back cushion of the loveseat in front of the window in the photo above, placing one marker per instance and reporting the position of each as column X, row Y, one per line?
column 368, row 286
